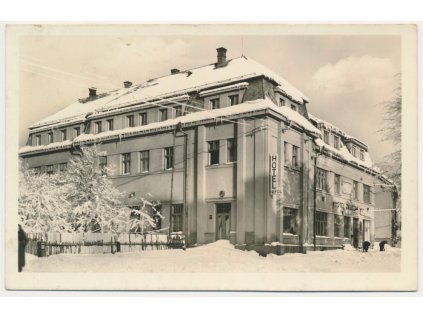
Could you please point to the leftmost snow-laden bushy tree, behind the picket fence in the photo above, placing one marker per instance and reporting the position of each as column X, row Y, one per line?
column 42, row 205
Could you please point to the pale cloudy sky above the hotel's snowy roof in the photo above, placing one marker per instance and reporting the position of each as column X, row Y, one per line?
column 345, row 77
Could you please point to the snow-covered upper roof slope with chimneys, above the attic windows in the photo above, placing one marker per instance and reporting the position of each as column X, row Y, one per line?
column 196, row 79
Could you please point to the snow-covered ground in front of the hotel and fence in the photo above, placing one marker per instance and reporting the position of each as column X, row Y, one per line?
column 220, row 257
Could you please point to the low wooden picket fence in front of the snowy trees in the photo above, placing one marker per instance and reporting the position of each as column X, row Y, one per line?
column 47, row 244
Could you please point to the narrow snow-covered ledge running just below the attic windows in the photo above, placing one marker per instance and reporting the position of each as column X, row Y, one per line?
column 215, row 114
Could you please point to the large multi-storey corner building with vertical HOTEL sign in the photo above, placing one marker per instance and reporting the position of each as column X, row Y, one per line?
column 230, row 151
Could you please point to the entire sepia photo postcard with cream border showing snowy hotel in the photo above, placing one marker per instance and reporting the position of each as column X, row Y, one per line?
column 211, row 157
